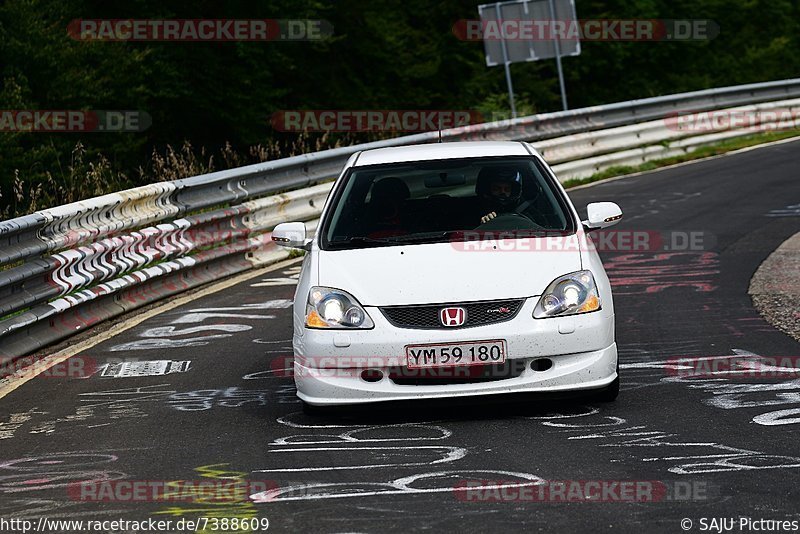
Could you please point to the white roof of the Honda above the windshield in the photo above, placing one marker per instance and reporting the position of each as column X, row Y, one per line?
column 467, row 149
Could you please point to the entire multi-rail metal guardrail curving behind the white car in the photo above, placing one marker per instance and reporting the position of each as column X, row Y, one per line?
column 104, row 259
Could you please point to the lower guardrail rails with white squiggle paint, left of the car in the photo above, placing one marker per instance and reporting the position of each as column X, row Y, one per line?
column 95, row 282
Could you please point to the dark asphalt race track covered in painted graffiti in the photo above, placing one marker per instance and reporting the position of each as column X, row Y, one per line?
column 216, row 406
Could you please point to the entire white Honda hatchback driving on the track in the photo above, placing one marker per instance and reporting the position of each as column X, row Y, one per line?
column 448, row 270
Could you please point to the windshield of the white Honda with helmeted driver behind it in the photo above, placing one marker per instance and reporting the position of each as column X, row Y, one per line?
column 435, row 201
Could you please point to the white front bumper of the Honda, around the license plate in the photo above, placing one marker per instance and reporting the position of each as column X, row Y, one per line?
column 581, row 348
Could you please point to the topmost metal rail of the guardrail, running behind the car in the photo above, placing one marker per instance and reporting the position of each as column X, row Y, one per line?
column 43, row 231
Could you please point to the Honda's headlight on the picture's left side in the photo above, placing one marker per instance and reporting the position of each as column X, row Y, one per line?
column 334, row 308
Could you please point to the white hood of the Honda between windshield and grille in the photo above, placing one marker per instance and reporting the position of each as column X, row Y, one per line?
column 446, row 272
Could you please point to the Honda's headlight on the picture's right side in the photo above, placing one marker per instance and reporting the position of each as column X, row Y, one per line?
column 569, row 295
